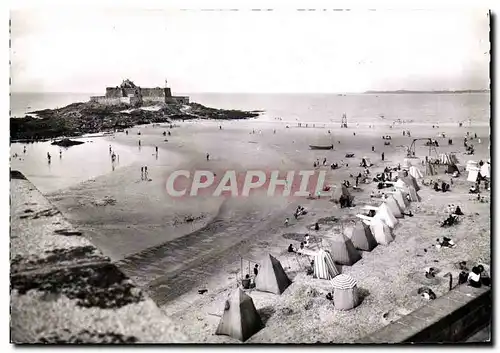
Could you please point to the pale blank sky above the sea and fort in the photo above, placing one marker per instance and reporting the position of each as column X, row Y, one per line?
column 85, row 50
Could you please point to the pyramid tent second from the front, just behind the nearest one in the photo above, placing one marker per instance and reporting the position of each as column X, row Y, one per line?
column 271, row 278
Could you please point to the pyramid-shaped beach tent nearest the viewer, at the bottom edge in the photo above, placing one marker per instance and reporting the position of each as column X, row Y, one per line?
column 240, row 319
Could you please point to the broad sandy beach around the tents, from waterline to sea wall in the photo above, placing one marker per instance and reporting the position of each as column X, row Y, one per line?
column 146, row 232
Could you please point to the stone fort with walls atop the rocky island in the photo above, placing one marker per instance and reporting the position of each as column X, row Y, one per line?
column 129, row 93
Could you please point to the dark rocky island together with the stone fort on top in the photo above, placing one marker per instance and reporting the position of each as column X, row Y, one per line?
column 122, row 107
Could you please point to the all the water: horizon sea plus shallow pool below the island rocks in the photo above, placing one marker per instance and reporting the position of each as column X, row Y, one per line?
column 71, row 166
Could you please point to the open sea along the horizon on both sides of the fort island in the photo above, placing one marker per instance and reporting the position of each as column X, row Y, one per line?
column 419, row 108
